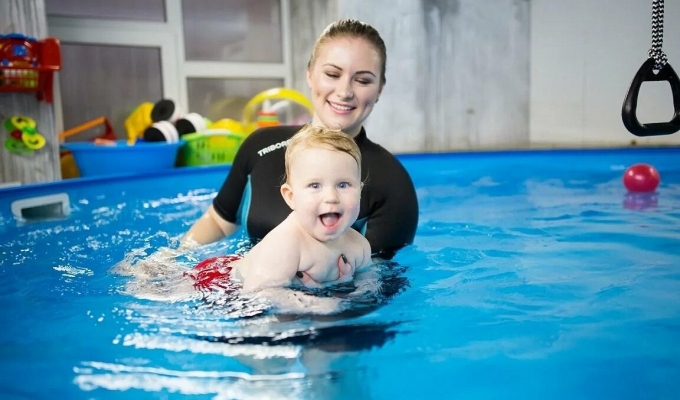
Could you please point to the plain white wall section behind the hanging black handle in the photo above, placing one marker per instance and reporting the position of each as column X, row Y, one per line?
column 584, row 54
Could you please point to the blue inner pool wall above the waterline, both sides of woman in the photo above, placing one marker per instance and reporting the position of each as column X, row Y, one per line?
column 521, row 162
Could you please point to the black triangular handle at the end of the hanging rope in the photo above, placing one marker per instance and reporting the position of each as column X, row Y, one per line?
column 628, row 112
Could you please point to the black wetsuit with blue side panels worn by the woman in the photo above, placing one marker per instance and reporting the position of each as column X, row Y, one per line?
column 250, row 195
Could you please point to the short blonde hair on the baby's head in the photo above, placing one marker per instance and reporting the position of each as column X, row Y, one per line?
column 310, row 137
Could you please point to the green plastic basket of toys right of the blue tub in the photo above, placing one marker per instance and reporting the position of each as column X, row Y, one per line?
column 210, row 147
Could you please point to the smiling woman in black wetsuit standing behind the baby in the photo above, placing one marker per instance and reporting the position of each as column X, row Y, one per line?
column 346, row 75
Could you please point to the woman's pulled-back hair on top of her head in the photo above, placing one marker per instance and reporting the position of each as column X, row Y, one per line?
column 352, row 28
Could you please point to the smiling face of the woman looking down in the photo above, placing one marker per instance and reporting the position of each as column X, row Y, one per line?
column 345, row 84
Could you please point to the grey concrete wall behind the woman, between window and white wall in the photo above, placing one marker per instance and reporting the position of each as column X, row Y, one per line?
column 457, row 70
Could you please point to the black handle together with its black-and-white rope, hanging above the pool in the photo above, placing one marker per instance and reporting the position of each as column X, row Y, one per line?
column 656, row 68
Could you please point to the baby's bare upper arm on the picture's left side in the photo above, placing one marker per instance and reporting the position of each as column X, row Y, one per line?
column 271, row 263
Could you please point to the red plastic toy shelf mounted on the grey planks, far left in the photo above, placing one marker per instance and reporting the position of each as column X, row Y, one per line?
column 28, row 65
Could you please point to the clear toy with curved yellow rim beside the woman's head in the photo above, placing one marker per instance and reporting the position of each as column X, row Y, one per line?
column 277, row 106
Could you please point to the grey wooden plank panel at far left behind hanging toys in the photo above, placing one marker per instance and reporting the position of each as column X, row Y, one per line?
column 28, row 17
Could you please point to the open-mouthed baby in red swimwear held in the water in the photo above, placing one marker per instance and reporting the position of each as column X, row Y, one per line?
column 323, row 190
